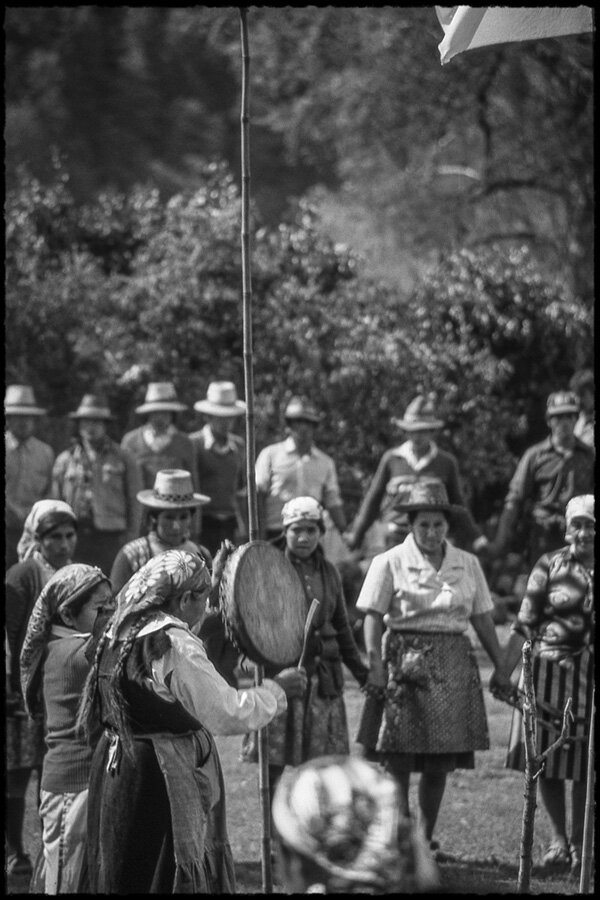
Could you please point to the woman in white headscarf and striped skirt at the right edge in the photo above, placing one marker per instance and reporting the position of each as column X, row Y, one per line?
column 557, row 616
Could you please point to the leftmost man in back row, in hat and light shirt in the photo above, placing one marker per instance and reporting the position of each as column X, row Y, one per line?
column 28, row 464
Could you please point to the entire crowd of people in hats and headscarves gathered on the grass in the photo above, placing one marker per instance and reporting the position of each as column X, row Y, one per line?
column 121, row 667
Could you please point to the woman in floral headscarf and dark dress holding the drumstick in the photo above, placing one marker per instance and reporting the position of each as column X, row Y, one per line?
column 156, row 820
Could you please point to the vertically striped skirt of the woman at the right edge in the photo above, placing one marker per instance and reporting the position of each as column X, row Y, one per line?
column 553, row 684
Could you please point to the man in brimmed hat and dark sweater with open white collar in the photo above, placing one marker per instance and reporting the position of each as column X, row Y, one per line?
column 417, row 459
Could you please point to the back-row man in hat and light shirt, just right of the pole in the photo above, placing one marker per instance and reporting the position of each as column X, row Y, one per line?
column 295, row 467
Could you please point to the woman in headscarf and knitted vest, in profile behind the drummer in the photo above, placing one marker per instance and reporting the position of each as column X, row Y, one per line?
column 55, row 660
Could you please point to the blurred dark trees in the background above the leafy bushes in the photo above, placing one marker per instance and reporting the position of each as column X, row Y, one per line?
column 410, row 159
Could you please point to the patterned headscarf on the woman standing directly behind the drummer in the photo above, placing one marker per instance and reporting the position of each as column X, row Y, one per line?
column 66, row 586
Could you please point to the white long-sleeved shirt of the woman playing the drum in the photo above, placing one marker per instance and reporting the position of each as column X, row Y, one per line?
column 185, row 673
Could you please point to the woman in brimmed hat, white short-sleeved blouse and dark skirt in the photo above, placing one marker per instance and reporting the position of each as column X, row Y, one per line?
column 424, row 711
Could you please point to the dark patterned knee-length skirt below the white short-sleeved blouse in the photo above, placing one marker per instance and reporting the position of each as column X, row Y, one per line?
column 433, row 700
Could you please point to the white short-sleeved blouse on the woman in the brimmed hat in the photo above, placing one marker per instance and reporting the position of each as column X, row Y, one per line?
column 404, row 586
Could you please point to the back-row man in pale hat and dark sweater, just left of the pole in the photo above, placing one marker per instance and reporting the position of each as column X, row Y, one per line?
column 221, row 465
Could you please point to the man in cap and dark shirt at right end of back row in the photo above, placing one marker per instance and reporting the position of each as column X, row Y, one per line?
column 548, row 475
